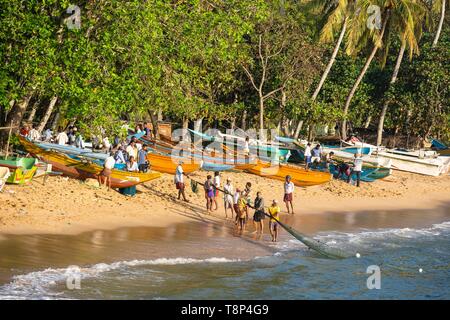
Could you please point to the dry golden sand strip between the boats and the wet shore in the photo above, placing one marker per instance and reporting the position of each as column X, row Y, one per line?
column 67, row 206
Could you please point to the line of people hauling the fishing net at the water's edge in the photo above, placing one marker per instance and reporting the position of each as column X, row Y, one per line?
column 238, row 202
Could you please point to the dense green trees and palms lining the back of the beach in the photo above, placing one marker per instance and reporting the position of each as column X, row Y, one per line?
column 291, row 65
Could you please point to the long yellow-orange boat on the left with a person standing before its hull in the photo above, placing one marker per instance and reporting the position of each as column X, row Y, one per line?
column 86, row 169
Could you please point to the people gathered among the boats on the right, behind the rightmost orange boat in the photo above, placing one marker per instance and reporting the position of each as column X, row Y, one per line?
column 314, row 157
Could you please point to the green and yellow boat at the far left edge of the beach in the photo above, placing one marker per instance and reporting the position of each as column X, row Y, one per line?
column 22, row 169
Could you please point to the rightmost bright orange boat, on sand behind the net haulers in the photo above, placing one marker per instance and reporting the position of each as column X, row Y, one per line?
column 300, row 176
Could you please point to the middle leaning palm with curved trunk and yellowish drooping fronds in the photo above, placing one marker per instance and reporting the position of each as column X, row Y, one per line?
column 394, row 15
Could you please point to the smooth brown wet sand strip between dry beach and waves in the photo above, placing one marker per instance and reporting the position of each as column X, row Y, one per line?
column 22, row 254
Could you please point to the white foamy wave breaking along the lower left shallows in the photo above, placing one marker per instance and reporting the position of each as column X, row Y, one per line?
column 38, row 284
